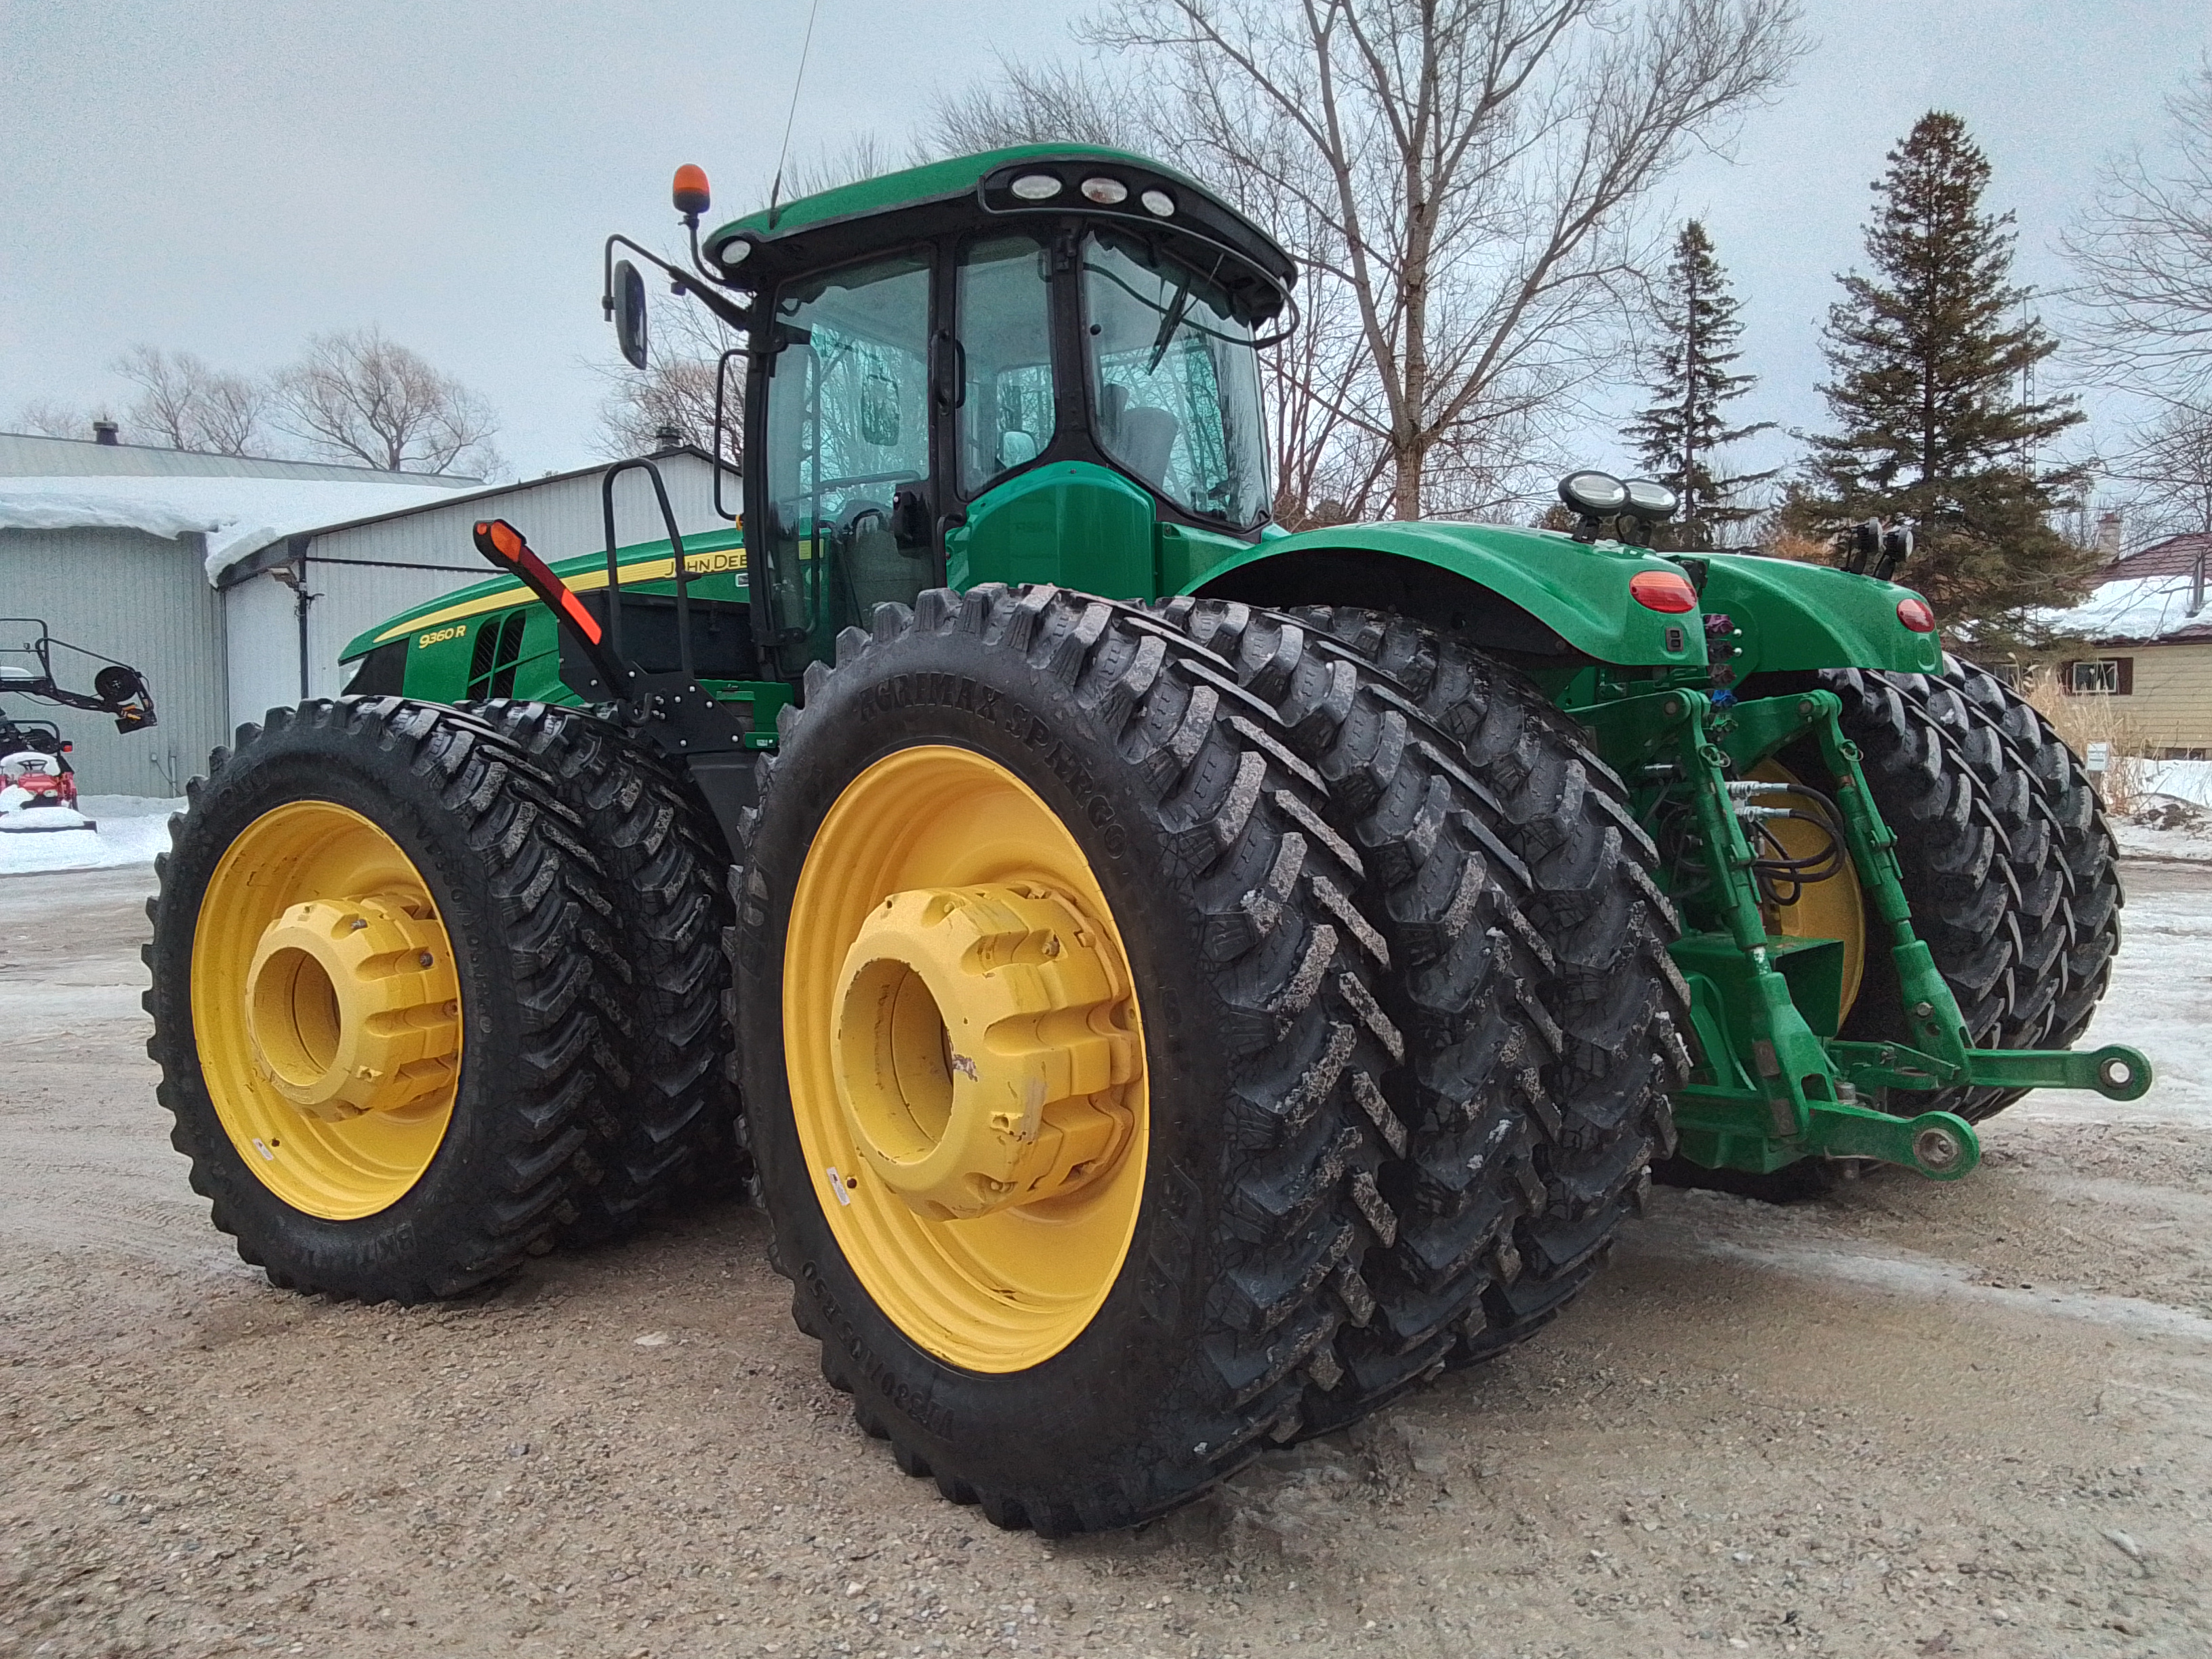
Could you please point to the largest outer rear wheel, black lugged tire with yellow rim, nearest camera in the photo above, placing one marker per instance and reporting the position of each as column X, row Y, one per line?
column 1092, row 797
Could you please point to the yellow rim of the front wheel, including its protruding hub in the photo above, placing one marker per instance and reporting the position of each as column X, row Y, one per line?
column 328, row 1010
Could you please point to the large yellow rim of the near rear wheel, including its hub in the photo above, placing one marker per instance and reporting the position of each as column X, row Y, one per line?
column 966, row 1058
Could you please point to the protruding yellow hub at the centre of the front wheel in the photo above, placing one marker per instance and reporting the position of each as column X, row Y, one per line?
column 355, row 1008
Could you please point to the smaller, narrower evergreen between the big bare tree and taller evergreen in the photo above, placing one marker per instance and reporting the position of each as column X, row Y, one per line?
column 1680, row 435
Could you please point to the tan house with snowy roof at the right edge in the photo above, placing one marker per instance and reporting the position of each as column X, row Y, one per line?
column 2149, row 636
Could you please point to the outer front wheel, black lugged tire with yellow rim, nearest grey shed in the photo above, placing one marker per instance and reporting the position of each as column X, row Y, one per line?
column 377, row 999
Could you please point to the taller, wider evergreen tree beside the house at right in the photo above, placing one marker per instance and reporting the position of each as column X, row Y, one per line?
column 1934, row 430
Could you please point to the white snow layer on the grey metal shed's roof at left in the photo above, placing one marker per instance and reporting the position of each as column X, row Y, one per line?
column 236, row 514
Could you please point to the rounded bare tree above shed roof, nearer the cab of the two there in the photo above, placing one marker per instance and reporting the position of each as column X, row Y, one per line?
column 362, row 397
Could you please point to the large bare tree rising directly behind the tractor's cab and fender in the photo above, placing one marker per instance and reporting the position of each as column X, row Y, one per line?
column 1468, row 174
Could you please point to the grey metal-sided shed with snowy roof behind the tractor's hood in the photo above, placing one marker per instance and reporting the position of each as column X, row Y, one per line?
column 236, row 583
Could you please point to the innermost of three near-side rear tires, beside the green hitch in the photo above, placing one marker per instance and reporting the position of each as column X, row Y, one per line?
column 1611, row 990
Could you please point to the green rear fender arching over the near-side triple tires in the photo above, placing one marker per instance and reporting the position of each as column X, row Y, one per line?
column 1534, row 594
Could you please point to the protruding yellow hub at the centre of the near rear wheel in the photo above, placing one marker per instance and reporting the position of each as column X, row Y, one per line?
column 983, row 1047
